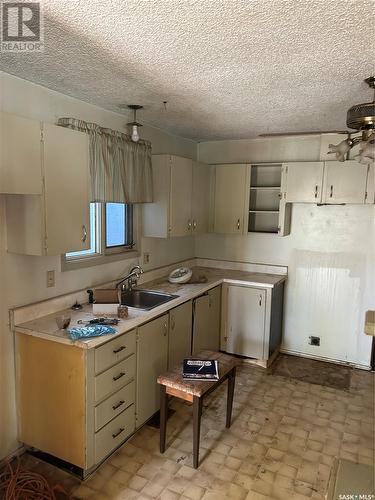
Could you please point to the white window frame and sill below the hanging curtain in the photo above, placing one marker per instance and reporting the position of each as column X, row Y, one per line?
column 103, row 253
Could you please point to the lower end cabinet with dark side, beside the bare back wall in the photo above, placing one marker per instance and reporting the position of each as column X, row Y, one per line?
column 252, row 321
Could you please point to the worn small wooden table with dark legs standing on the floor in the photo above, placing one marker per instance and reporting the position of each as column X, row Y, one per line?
column 173, row 384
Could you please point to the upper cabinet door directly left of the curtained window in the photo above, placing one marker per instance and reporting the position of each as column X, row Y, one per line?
column 66, row 170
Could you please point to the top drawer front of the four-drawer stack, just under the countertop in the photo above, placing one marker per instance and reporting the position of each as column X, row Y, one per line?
column 114, row 351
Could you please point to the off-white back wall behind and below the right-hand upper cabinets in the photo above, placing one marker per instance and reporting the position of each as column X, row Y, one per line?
column 329, row 254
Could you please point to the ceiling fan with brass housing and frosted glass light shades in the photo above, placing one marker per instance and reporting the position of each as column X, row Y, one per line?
column 361, row 118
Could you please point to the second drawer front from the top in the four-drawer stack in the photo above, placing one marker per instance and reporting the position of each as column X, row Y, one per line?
column 114, row 378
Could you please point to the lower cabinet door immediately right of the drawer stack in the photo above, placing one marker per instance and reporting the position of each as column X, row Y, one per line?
column 152, row 360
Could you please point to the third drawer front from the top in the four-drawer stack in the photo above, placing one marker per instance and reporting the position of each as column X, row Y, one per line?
column 114, row 405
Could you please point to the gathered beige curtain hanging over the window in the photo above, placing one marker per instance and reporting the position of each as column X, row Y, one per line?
column 120, row 169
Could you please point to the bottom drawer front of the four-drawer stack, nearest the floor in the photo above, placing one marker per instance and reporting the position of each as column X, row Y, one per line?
column 114, row 433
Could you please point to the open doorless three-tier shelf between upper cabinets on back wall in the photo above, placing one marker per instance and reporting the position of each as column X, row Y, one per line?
column 264, row 200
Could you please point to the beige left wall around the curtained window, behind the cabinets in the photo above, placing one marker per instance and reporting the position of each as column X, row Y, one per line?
column 23, row 278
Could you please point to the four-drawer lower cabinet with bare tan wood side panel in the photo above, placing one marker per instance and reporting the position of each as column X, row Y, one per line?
column 88, row 396
